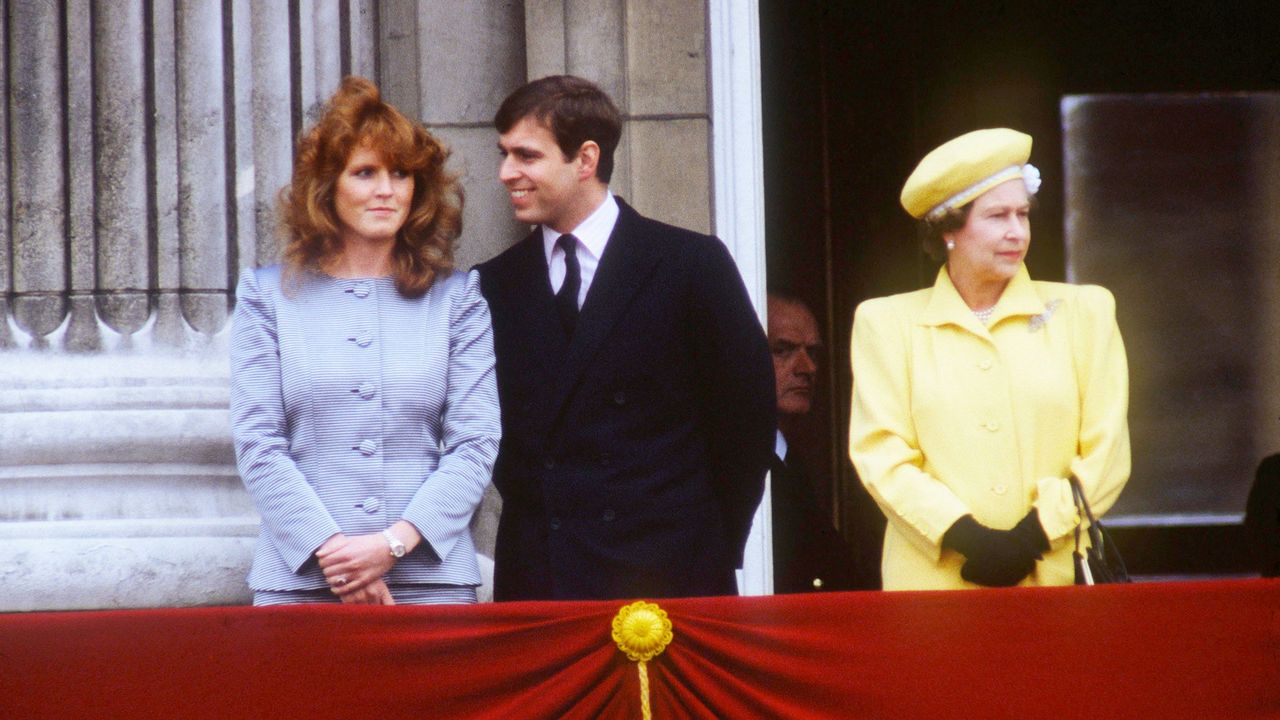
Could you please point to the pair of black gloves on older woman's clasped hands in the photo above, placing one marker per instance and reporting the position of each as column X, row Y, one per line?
column 998, row 558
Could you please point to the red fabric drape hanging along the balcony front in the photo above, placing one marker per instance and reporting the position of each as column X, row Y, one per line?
column 1172, row 650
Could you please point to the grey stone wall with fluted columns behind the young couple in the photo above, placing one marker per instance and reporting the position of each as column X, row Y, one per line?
column 141, row 149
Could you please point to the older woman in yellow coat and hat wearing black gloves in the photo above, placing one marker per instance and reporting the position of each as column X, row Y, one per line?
column 977, row 399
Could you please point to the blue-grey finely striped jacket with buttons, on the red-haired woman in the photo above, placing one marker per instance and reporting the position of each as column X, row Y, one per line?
column 353, row 408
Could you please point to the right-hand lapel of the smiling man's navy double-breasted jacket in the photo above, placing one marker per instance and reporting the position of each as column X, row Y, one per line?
column 628, row 263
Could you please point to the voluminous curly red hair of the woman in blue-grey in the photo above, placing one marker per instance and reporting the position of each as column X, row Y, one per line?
column 356, row 117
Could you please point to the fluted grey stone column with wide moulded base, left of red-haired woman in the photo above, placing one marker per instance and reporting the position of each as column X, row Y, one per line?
column 141, row 149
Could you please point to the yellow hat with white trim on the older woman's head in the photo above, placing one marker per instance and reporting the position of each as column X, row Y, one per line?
column 962, row 170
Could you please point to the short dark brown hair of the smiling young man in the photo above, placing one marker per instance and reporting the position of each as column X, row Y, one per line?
column 574, row 110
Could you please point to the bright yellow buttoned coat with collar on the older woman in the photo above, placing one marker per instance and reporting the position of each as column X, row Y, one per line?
column 953, row 418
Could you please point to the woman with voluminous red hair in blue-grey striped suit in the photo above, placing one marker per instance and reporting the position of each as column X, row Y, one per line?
column 364, row 403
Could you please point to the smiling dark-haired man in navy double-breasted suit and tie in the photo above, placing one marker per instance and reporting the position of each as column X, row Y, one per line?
column 636, row 380
